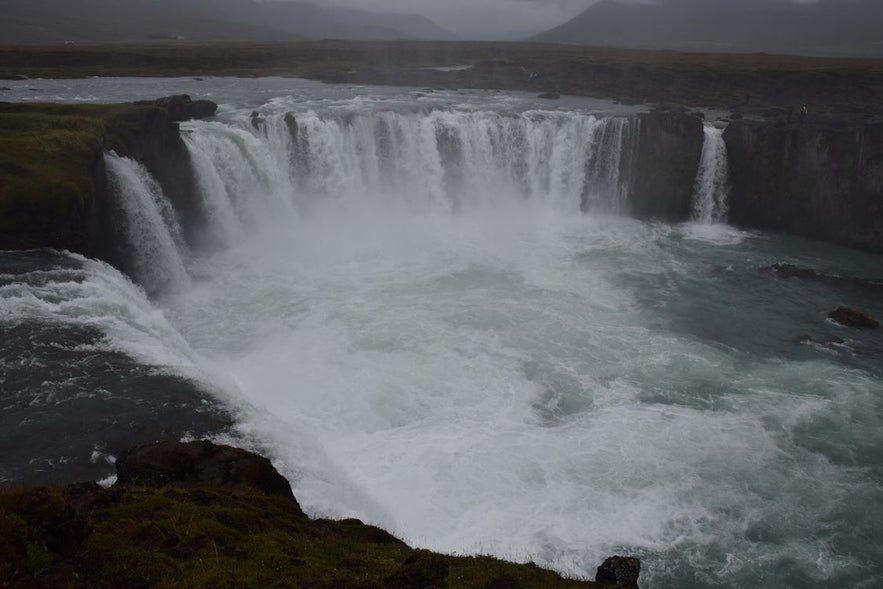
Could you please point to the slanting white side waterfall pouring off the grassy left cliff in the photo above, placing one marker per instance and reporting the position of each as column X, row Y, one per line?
column 150, row 225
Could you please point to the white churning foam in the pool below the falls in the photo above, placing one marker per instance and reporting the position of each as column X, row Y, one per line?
column 482, row 382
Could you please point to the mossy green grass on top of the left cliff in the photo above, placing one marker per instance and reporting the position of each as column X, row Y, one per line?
column 48, row 154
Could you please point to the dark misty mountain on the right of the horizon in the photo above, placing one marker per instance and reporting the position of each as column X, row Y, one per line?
column 829, row 27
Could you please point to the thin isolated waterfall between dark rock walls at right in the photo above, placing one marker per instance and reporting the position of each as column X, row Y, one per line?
column 710, row 190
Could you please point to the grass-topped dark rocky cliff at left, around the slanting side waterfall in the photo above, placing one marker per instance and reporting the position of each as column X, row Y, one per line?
column 53, row 191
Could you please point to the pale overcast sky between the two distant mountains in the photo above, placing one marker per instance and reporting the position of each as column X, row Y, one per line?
column 479, row 16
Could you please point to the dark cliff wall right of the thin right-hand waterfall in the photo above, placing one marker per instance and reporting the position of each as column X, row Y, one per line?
column 822, row 180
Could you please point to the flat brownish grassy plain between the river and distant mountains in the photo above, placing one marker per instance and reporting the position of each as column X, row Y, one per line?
column 748, row 82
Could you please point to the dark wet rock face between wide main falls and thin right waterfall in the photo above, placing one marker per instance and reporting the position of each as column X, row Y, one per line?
column 667, row 160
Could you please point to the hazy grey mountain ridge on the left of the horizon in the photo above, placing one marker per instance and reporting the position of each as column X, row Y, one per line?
column 46, row 21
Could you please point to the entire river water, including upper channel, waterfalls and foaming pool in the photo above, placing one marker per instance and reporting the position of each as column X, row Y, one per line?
column 429, row 310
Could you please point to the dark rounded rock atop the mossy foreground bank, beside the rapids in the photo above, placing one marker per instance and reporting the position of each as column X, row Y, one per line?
column 199, row 462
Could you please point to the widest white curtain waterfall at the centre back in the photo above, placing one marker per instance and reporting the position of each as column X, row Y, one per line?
column 439, row 159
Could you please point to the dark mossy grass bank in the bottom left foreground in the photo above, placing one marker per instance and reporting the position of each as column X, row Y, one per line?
column 190, row 536
